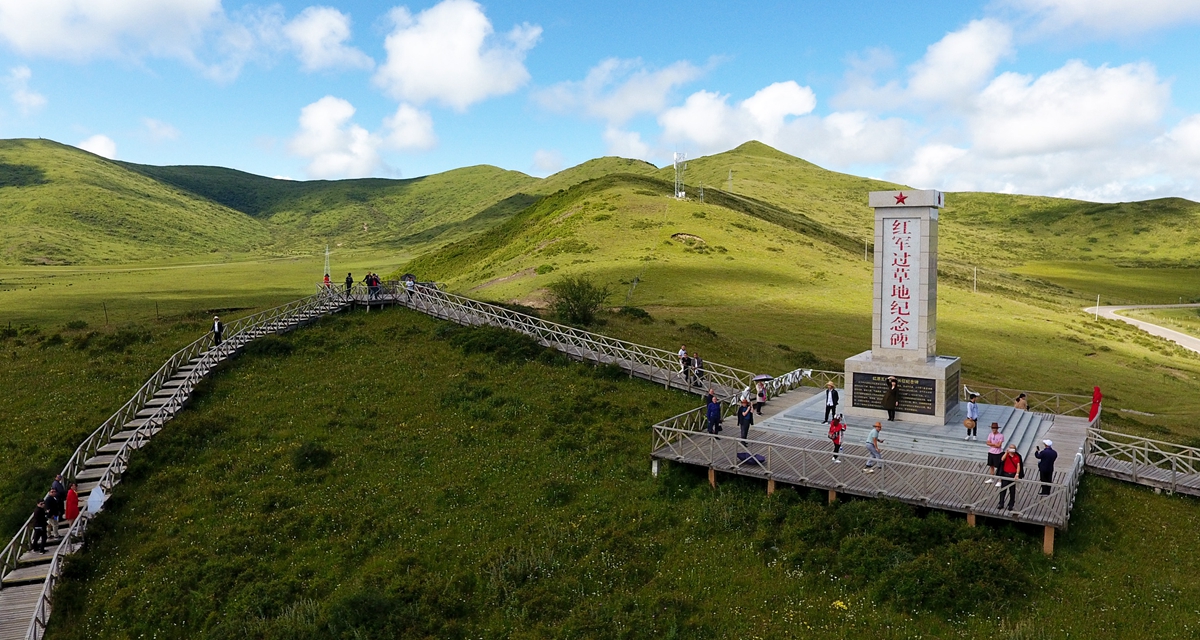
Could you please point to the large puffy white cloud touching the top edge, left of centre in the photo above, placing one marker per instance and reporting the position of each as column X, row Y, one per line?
column 448, row 55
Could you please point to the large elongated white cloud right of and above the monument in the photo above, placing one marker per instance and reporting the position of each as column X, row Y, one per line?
column 1073, row 107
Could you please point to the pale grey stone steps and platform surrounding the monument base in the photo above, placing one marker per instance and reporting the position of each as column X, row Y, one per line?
column 1022, row 428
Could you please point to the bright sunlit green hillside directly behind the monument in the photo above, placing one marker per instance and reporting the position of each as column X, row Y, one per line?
column 759, row 285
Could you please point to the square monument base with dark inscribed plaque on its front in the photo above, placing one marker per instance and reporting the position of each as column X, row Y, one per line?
column 929, row 391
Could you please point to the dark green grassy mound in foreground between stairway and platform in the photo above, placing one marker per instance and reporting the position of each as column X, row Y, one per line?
column 391, row 476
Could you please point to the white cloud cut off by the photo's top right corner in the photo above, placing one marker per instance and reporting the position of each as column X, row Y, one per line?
column 1108, row 17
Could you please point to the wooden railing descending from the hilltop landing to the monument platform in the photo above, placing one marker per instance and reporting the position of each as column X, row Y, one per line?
column 577, row 343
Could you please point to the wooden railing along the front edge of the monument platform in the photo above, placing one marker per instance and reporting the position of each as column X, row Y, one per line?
column 893, row 478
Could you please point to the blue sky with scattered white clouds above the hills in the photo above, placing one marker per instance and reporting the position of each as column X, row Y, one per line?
column 1093, row 99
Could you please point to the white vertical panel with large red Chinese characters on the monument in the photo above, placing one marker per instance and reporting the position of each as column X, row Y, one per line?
column 902, row 255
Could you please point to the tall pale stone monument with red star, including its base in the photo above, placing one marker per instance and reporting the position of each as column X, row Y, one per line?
column 904, row 322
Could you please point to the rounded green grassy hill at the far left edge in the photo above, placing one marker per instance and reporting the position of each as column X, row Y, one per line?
column 59, row 205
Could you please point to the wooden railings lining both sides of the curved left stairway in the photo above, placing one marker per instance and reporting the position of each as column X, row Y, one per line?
column 238, row 334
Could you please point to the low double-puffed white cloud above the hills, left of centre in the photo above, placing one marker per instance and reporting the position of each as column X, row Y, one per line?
column 337, row 147
